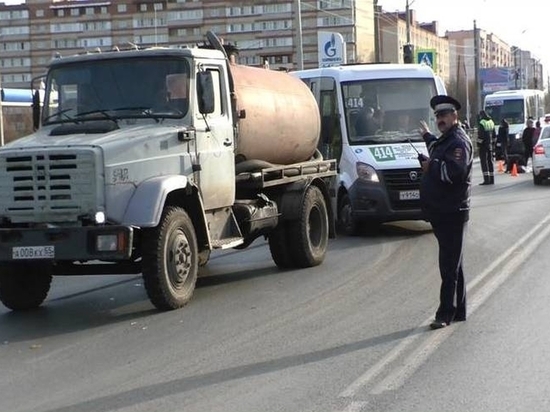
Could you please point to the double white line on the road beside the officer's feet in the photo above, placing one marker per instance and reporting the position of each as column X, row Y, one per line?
column 507, row 264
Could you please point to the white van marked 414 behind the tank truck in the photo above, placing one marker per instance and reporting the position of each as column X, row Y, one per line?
column 369, row 122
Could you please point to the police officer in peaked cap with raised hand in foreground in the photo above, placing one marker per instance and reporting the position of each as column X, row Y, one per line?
column 445, row 201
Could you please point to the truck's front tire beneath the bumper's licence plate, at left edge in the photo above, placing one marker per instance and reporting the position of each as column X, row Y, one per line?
column 24, row 287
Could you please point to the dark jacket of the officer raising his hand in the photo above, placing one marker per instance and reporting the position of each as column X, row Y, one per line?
column 445, row 187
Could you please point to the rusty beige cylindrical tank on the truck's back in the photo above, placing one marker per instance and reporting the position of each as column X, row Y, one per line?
column 282, row 122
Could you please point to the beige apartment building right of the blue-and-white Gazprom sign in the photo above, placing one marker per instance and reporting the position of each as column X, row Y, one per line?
column 395, row 33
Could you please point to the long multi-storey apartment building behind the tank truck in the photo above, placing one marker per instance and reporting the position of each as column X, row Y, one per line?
column 281, row 33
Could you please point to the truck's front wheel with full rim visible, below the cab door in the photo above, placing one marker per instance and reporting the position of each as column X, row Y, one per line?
column 170, row 260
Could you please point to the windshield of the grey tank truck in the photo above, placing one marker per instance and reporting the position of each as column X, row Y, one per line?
column 137, row 87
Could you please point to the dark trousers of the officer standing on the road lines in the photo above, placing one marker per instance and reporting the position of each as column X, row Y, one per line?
column 450, row 237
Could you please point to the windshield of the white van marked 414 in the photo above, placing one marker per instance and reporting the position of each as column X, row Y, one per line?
column 387, row 110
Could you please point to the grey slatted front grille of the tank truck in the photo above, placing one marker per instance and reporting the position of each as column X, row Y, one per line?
column 47, row 185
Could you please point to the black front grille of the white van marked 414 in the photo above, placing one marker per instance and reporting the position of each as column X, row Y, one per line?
column 400, row 180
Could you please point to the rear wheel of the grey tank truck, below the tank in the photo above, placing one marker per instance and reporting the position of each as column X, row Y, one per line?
column 308, row 237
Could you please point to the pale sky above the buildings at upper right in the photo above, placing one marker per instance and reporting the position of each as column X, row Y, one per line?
column 524, row 23
